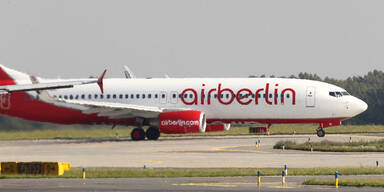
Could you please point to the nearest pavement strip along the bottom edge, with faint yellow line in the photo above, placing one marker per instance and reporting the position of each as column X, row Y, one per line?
column 269, row 184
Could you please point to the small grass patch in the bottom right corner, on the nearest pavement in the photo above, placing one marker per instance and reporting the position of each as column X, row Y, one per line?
column 347, row 182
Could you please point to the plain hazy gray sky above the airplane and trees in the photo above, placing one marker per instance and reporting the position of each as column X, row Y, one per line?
column 218, row 38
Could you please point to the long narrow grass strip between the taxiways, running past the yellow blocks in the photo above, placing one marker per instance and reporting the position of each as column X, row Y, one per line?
column 212, row 172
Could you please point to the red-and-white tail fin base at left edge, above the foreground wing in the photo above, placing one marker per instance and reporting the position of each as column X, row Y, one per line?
column 12, row 77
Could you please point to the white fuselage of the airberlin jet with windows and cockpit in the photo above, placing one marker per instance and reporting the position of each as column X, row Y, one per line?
column 312, row 99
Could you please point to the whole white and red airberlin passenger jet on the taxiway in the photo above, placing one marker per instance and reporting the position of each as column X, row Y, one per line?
column 176, row 105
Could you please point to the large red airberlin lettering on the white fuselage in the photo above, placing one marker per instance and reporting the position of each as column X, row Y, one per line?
column 244, row 96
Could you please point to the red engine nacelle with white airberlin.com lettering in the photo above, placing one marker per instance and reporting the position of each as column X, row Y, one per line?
column 182, row 122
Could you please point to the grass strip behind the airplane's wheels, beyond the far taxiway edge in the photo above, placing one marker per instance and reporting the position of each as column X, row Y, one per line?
column 97, row 132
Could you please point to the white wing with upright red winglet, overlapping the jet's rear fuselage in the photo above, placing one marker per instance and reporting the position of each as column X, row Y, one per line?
column 46, row 86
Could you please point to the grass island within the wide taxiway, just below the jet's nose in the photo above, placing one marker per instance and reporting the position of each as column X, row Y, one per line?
column 332, row 146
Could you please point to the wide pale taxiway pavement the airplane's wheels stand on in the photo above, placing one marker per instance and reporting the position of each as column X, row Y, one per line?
column 187, row 152
